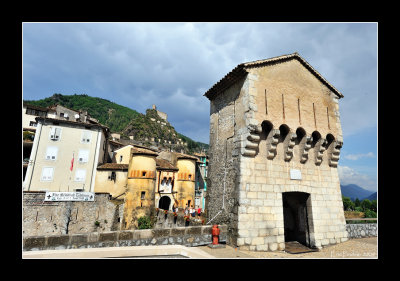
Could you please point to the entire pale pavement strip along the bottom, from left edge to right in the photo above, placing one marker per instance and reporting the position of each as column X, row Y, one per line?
column 353, row 248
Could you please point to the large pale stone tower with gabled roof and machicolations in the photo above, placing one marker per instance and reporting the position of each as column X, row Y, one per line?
column 275, row 140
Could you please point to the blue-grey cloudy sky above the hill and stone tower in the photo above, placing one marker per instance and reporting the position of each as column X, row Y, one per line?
column 173, row 64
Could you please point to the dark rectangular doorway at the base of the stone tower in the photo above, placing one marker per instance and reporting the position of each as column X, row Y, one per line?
column 295, row 217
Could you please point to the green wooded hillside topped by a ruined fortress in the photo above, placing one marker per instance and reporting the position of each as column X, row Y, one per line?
column 147, row 129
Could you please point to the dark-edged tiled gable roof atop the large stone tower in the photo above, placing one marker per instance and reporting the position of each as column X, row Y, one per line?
column 241, row 70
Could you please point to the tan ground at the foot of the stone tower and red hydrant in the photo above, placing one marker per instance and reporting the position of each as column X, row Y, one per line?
column 354, row 248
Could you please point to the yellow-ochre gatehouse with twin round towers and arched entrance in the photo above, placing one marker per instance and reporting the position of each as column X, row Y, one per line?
column 147, row 180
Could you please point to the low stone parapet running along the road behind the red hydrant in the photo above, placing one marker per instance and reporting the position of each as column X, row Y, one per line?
column 186, row 236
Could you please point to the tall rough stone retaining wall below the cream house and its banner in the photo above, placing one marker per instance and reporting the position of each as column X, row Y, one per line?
column 58, row 218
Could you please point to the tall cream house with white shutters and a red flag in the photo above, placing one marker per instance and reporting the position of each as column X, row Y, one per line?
column 65, row 154
